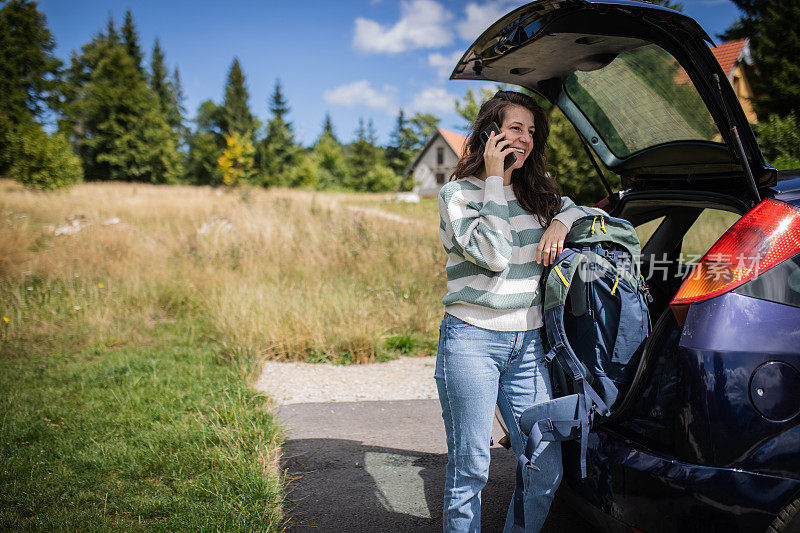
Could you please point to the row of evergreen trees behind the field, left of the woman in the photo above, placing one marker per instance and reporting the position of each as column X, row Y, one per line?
column 120, row 117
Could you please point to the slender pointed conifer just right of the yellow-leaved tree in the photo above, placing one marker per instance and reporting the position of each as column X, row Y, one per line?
column 278, row 150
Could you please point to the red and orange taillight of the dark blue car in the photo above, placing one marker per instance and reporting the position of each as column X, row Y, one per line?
column 766, row 236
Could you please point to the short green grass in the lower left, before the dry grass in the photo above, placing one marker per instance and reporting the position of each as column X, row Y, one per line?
column 162, row 437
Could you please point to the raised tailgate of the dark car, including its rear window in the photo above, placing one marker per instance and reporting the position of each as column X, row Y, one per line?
column 639, row 84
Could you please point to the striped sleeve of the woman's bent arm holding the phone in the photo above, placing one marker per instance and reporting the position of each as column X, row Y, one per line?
column 482, row 237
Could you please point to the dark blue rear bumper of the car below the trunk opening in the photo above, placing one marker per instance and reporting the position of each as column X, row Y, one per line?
column 629, row 486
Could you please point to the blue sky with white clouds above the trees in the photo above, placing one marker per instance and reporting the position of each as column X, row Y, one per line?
column 351, row 59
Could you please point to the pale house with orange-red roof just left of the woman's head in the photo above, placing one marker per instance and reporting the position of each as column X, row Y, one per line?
column 436, row 161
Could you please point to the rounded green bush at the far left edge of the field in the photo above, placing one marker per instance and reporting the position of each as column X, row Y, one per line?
column 42, row 161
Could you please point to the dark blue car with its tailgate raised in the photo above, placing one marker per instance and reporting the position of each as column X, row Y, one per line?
column 707, row 437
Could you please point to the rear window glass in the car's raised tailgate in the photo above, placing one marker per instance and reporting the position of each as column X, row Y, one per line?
column 642, row 98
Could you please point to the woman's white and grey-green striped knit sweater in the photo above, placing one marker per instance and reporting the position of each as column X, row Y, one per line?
column 490, row 240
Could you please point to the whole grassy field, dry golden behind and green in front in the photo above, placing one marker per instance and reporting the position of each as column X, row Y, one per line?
column 133, row 319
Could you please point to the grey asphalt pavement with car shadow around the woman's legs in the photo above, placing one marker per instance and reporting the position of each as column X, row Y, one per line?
column 379, row 466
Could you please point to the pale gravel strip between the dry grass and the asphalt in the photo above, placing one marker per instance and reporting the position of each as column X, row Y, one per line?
column 407, row 378
